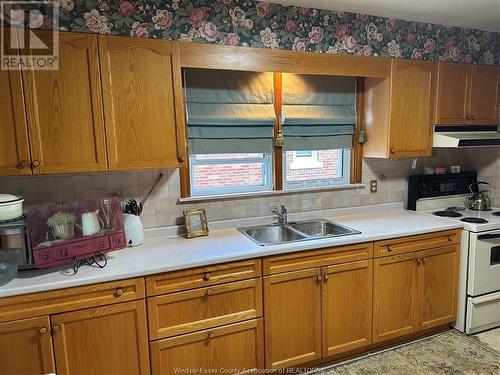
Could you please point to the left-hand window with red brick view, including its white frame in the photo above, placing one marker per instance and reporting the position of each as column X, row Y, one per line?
column 215, row 174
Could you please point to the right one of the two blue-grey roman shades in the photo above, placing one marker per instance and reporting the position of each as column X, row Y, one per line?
column 319, row 112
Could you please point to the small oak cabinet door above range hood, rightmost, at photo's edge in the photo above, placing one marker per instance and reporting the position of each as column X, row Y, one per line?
column 484, row 99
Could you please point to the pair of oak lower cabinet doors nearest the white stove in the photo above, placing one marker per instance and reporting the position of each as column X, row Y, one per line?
column 414, row 292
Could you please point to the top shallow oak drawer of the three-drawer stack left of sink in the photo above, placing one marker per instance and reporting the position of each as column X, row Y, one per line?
column 202, row 277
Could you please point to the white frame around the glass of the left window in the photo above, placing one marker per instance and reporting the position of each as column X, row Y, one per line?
column 267, row 177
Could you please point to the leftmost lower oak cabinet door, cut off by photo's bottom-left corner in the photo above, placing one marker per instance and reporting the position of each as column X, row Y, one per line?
column 26, row 347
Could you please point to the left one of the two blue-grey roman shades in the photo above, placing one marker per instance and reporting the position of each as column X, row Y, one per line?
column 229, row 111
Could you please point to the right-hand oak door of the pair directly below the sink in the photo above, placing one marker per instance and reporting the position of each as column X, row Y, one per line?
column 347, row 307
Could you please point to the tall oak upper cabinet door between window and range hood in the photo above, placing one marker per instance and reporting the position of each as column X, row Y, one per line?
column 413, row 86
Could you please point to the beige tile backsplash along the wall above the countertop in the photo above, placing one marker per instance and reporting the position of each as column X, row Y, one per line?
column 163, row 208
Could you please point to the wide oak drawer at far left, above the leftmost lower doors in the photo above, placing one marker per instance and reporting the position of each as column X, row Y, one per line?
column 70, row 299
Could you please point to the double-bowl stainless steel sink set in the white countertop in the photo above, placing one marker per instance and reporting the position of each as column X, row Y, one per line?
column 274, row 234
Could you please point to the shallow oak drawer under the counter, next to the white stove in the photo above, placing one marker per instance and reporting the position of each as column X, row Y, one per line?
column 415, row 243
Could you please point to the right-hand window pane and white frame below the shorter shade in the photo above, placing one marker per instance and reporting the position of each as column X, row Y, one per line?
column 309, row 169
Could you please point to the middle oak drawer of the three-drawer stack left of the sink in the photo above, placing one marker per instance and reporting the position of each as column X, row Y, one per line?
column 193, row 310
